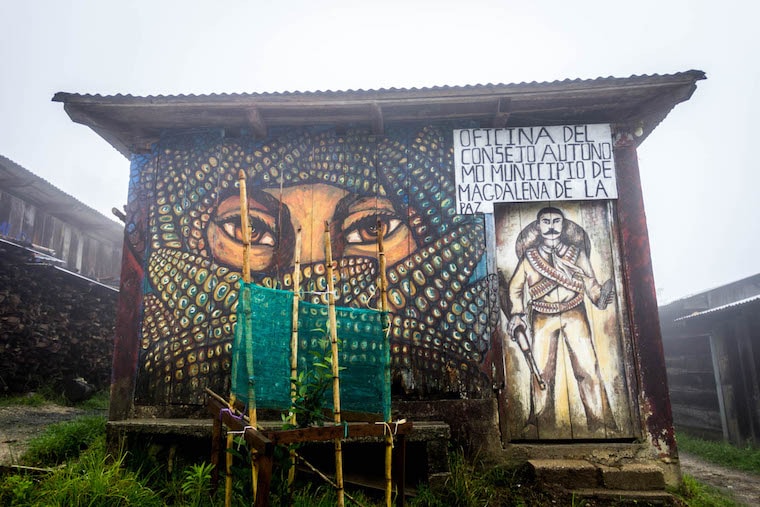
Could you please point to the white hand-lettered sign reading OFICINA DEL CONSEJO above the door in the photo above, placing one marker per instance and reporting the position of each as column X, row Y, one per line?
column 559, row 163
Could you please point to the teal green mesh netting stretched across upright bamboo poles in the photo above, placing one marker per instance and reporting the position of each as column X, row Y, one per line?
column 263, row 333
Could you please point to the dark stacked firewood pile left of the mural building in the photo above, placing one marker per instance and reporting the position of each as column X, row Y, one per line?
column 54, row 326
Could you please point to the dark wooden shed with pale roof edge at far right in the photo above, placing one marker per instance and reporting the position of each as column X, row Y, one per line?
column 712, row 354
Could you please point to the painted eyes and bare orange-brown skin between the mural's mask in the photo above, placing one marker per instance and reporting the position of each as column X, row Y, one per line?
column 305, row 208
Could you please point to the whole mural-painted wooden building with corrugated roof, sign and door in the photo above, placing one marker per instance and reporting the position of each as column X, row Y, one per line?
column 515, row 343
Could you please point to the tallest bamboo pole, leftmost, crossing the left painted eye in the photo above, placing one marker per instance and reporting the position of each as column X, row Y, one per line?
column 246, row 301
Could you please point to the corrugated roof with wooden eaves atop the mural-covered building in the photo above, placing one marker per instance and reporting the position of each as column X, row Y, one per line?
column 132, row 124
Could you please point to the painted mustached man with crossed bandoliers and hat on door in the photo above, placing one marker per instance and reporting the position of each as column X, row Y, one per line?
column 547, row 295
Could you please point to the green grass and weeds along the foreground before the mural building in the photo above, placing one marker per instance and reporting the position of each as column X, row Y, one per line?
column 91, row 477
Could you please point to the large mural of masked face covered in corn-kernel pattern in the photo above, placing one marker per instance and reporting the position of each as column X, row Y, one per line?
column 441, row 306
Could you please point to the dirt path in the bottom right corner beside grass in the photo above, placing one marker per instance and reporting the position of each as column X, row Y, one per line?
column 743, row 486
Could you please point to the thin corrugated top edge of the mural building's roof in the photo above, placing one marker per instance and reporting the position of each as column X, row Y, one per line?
column 425, row 93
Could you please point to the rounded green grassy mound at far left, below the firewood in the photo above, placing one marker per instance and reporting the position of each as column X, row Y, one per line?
column 62, row 441
